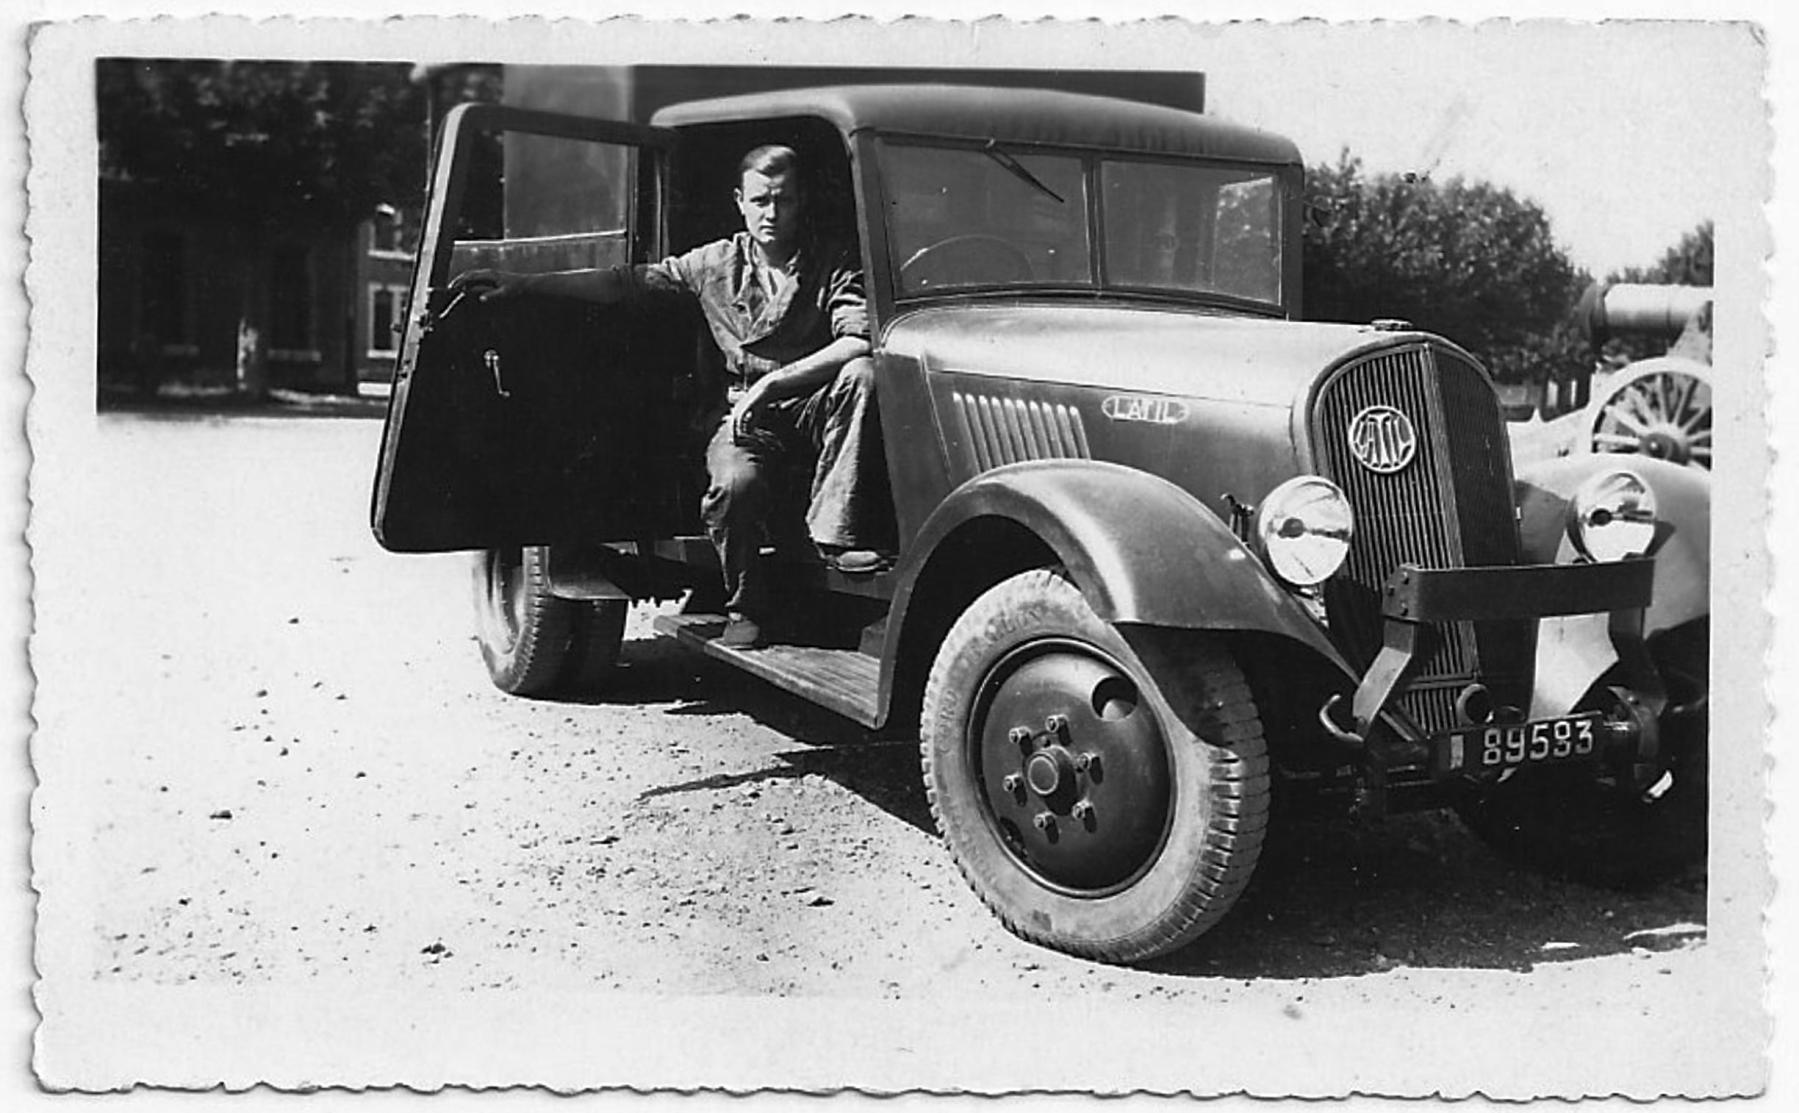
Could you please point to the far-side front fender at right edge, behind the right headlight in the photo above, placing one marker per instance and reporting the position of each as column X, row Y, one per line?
column 1573, row 654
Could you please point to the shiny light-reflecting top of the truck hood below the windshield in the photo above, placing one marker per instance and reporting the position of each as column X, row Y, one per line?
column 1141, row 350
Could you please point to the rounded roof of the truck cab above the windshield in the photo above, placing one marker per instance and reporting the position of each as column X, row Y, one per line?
column 1012, row 116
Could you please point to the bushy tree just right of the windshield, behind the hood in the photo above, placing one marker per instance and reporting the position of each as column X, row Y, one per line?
column 1467, row 260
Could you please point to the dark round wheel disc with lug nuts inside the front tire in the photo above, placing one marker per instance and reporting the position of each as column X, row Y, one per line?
column 1075, row 769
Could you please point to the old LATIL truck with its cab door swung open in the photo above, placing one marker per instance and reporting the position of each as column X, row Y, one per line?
column 1168, row 551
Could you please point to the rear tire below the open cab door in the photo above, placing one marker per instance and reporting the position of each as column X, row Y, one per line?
column 533, row 643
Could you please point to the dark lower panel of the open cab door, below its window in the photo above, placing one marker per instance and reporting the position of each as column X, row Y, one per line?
column 539, row 422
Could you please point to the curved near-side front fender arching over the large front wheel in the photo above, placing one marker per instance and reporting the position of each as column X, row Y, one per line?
column 1141, row 549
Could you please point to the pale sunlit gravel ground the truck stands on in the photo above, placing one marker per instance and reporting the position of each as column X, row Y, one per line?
column 280, row 765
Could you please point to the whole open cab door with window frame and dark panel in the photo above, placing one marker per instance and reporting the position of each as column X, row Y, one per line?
column 535, row 422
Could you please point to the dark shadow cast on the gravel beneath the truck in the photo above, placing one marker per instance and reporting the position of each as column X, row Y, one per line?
column 1330, row 898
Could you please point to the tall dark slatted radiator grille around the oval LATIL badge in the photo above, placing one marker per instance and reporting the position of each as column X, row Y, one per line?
column 1449, row 508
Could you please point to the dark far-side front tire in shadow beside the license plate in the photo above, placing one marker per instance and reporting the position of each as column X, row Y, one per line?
column 1573, row 828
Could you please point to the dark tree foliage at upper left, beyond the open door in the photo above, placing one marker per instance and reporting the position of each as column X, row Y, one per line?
column 265, row 141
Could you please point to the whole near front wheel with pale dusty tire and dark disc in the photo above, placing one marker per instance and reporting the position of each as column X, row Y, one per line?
column 1179, row 803
